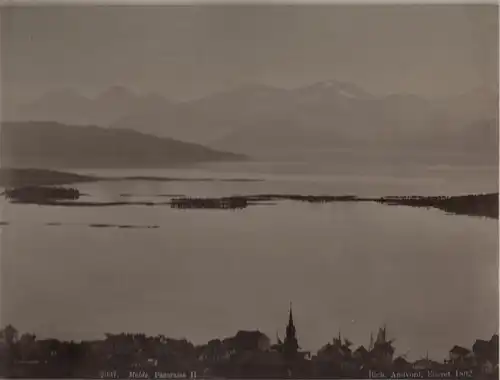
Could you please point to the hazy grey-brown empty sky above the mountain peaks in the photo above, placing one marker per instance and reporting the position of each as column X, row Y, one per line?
column 185, row 52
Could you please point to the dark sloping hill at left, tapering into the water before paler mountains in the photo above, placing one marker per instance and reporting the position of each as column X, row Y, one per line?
column 55, row 145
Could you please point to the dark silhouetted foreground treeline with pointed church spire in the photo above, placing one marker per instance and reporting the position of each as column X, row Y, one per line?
column 247, row 354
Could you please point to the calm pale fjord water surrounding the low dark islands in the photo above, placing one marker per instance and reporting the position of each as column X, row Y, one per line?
column 431, row 277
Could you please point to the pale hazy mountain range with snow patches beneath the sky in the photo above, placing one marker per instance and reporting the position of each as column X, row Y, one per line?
column 270, row 122
